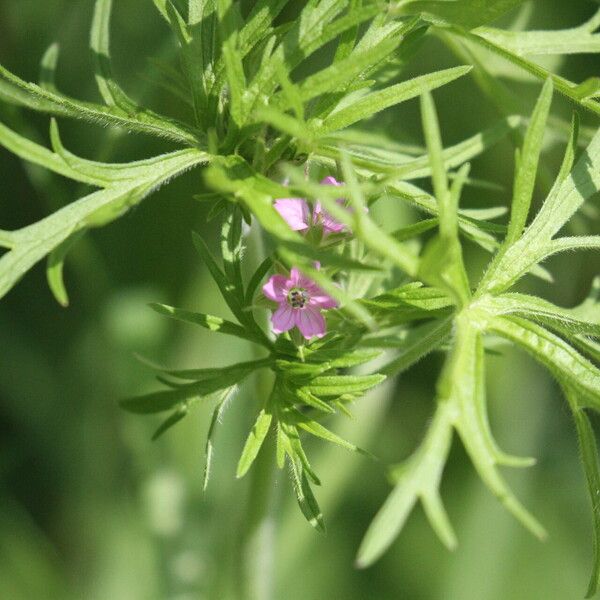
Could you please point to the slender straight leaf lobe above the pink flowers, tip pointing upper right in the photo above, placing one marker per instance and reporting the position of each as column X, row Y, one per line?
column 377, row 101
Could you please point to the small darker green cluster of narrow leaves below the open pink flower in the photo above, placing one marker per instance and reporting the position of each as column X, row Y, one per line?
column 310, row 383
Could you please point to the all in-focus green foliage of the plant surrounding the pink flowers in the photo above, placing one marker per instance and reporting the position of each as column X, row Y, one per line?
column 259, row 120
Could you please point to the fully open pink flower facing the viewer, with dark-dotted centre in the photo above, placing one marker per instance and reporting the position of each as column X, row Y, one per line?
column 300, row 303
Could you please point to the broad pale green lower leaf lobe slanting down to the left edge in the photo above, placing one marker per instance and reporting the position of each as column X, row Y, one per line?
column 30, row 244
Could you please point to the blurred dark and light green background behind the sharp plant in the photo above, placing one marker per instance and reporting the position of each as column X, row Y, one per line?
column 90, row 508
